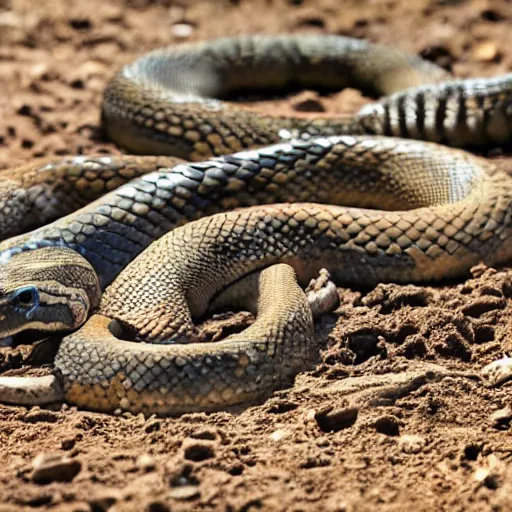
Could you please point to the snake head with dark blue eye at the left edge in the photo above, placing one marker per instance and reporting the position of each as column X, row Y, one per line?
column 46, row 289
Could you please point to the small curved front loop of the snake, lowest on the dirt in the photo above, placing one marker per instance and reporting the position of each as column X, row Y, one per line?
column 98, row 370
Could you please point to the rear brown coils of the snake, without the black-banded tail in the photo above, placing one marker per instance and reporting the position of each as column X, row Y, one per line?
column 148, row 110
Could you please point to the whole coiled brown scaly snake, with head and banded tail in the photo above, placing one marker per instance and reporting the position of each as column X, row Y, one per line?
column 412, row 211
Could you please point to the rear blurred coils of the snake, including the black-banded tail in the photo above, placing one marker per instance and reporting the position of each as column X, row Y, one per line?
column 167, row 102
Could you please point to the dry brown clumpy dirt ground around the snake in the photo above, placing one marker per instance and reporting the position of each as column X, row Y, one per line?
column 395, row 417
